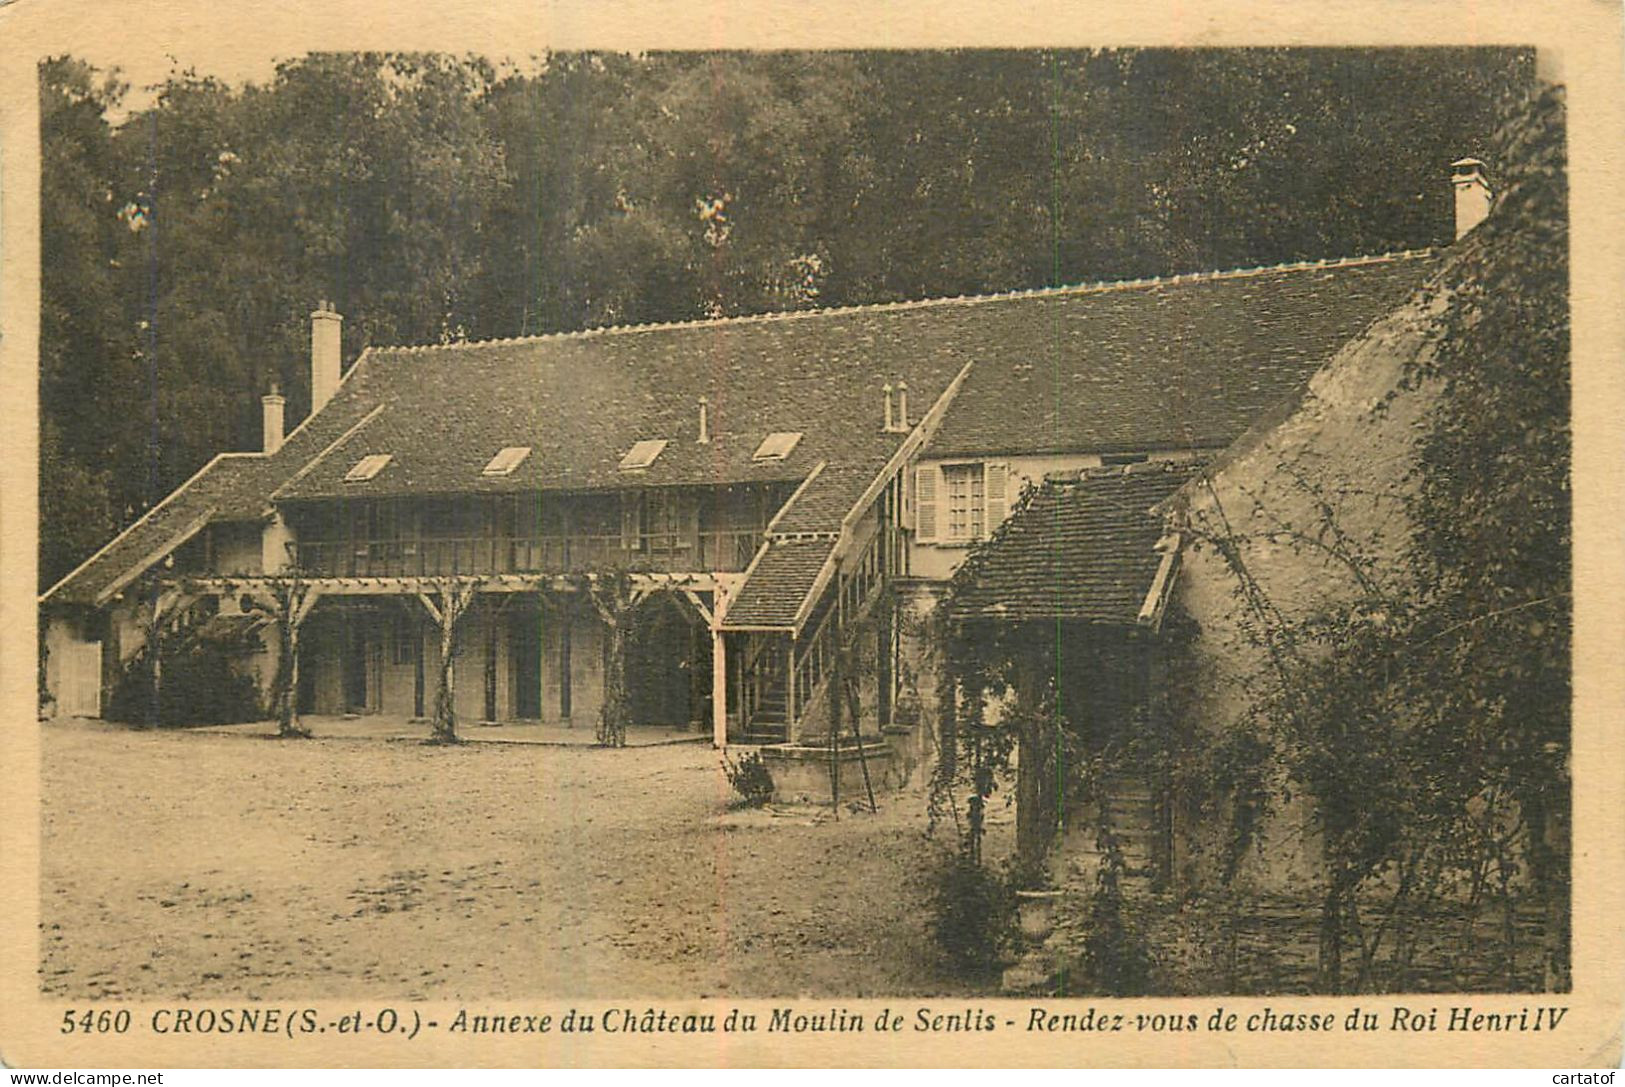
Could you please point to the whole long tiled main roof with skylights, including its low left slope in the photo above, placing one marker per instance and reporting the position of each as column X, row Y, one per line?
column 1184, row 362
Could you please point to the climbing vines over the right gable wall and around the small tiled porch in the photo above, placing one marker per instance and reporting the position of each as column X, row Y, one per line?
column 1419, row 696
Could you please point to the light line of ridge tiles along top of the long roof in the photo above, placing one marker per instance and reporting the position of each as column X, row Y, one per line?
column 1098, row 287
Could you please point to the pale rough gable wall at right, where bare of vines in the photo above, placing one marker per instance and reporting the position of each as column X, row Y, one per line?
column 1350, row 448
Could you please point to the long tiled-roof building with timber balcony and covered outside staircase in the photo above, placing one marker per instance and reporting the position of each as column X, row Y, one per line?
column 774, row 474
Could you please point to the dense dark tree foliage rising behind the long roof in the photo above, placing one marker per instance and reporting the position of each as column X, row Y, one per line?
column 438, row 199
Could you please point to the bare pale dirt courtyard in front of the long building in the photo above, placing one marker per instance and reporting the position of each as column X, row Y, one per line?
column 183, row 865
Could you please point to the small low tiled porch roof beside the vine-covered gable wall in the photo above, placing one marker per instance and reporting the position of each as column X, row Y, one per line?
column 1077, row 550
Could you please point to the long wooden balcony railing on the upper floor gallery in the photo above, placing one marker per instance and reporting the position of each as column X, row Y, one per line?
column 527, row 555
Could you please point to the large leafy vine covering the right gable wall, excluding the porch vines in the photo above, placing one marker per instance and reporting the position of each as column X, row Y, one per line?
column 1424, row 706
